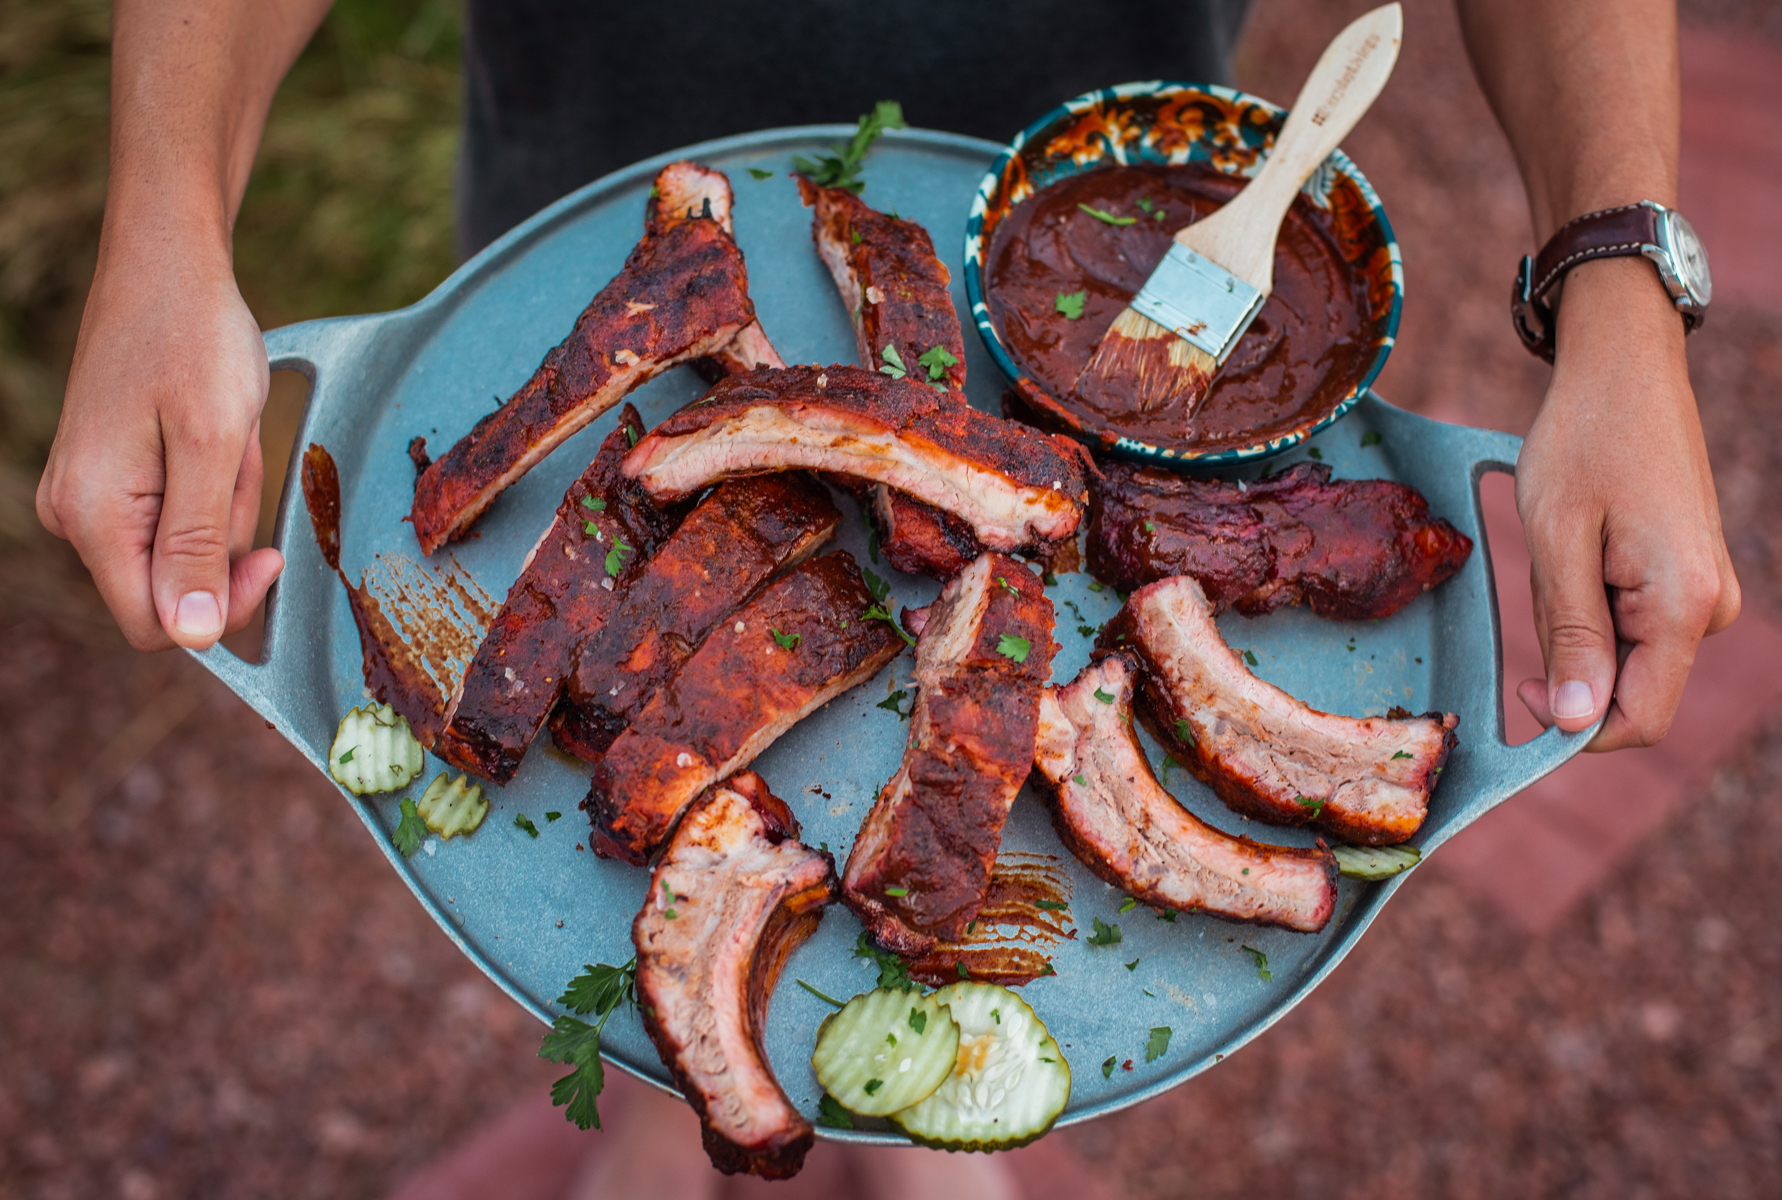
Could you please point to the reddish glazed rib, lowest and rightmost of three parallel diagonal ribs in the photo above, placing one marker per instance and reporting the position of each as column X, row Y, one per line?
column 765, row 668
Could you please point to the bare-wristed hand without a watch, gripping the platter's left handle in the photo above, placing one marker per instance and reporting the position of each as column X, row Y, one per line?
column 156, row 468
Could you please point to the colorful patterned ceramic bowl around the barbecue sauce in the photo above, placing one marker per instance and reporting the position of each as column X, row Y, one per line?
column 1173, row 124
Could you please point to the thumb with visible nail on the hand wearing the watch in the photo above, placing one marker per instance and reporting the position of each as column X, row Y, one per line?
column 1574, row 625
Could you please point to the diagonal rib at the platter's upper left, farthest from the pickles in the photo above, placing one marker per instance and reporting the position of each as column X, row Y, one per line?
column 683, row 293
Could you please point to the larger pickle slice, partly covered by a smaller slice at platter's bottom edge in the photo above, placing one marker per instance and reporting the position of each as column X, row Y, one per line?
column 1008, row 1085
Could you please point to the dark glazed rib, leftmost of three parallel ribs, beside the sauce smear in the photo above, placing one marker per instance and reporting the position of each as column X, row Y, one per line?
column 562, row 596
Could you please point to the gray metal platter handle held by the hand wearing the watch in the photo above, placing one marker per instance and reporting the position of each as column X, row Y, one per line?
column 1503, row 769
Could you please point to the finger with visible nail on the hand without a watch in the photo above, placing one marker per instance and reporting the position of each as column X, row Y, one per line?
column 192, row 566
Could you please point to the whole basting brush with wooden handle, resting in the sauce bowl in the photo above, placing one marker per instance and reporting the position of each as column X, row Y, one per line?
column 1166, row 347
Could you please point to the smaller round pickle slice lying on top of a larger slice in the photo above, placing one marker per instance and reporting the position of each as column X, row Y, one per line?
column 885, row 1051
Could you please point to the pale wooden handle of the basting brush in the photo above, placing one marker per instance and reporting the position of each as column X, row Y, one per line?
column 1343, row 86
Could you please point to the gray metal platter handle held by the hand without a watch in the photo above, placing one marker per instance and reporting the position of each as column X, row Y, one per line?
column 315, row 350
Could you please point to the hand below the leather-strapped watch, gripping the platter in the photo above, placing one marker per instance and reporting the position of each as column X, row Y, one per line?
column 1619, row 509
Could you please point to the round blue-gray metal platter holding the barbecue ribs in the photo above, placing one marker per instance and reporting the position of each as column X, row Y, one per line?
column 532, row 912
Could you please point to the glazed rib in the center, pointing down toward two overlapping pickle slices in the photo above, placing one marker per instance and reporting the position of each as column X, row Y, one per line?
column 922, row 862
